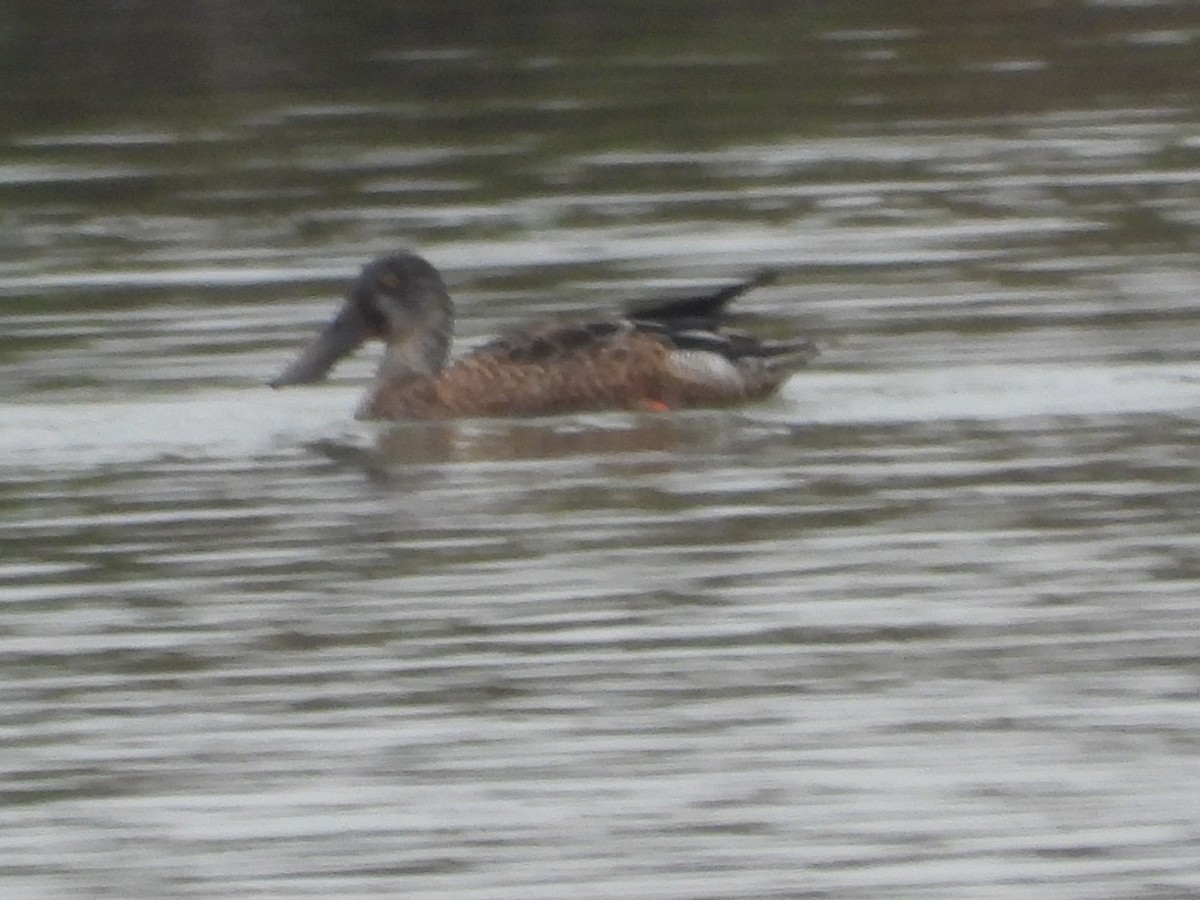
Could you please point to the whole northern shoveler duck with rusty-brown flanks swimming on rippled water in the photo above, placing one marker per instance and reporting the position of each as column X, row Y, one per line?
column 657, row 357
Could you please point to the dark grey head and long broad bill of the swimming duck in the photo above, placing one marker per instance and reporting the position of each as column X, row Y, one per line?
column 399, row 299
